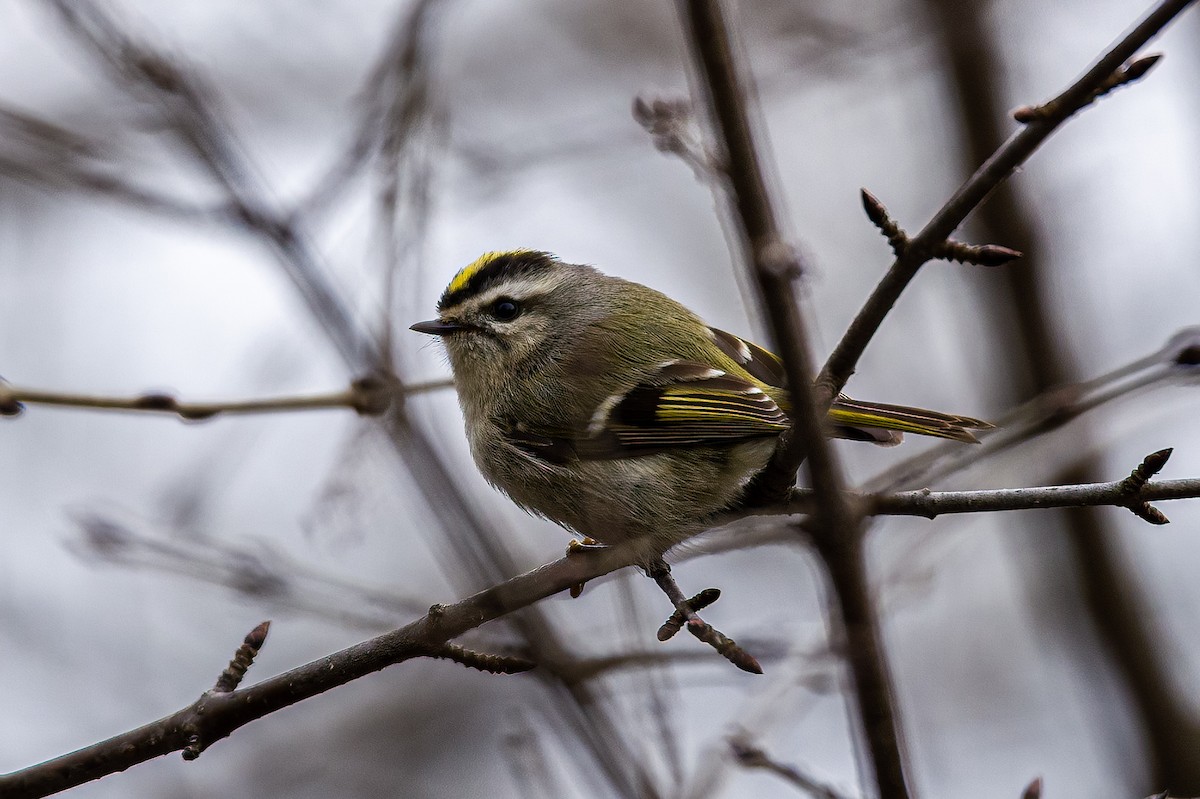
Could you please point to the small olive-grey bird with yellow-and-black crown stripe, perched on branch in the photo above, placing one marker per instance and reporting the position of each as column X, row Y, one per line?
column 613, row 410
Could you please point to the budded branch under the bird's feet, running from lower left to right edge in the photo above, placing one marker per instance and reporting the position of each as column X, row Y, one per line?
column 218, row 714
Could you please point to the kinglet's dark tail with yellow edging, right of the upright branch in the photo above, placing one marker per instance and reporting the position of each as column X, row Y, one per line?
column 872, row 422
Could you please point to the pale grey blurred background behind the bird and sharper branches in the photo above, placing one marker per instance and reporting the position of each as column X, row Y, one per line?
column 139, row 550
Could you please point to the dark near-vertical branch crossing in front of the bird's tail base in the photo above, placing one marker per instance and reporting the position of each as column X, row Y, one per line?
column 838, row 530
